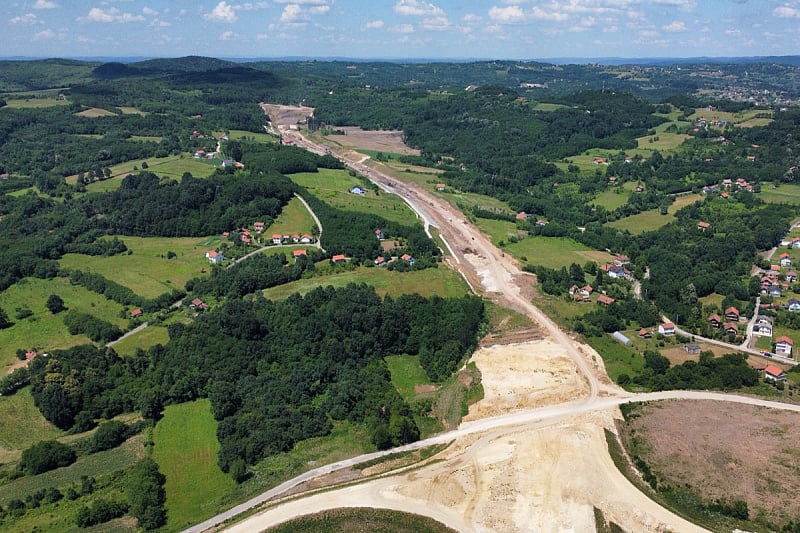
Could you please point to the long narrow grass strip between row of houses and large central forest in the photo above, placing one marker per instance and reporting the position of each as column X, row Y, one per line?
column 440, row 281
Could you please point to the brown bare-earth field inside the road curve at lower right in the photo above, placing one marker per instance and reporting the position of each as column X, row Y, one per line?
column 724, row 450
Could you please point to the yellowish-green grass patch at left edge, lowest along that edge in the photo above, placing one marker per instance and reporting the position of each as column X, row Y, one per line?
column 15, row 436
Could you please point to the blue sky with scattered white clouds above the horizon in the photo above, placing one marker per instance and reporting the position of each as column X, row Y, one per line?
column 499, row 29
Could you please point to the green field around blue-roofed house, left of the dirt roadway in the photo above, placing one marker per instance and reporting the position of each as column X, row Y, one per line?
column 333, row 187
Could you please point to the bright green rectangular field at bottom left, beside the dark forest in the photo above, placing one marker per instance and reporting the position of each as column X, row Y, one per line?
column 186, row 452
